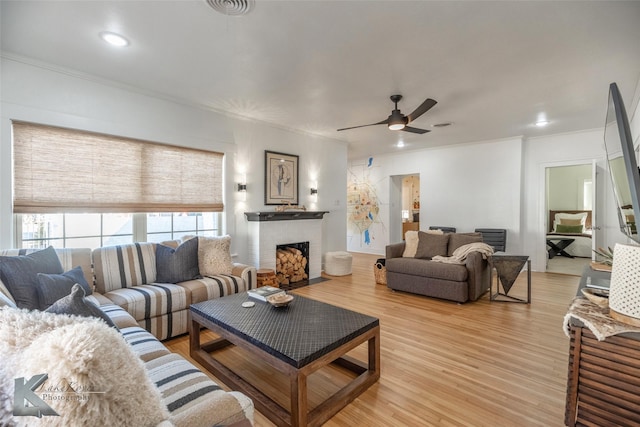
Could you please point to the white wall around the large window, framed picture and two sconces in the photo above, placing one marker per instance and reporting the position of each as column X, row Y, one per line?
column 61, row 98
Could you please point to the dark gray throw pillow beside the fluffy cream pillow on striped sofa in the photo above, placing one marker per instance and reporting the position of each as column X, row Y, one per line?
column 179, row 264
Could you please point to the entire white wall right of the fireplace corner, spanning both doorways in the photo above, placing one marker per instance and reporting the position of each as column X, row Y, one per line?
column 493, row 184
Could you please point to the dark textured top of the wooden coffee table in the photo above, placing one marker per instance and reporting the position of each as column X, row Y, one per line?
column 297, row 334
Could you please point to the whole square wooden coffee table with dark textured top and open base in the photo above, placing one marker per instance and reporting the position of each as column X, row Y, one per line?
column 296, row 340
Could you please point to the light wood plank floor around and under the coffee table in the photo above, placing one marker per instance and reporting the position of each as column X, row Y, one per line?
column 443, row 364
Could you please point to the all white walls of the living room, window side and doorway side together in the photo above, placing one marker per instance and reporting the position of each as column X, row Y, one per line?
column 497, row 184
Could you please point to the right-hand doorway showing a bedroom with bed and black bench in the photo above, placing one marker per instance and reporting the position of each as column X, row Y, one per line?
column 569, row 199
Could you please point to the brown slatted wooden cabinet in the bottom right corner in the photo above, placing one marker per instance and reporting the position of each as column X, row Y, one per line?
column 603, row 385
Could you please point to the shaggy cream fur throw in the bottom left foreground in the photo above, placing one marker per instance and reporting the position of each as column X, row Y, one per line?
column 94, row 378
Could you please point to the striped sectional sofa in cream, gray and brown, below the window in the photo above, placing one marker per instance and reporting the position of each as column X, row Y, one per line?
column 147, row 312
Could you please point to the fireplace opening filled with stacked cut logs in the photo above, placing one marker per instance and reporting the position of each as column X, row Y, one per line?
column 292, row 264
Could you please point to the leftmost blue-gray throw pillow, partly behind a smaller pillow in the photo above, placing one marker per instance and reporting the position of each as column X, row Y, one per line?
column 20, row 275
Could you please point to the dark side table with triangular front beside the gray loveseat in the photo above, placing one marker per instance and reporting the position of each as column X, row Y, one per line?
column 508, row 267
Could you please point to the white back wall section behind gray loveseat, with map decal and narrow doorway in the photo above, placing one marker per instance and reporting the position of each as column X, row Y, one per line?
column 466, row 186
